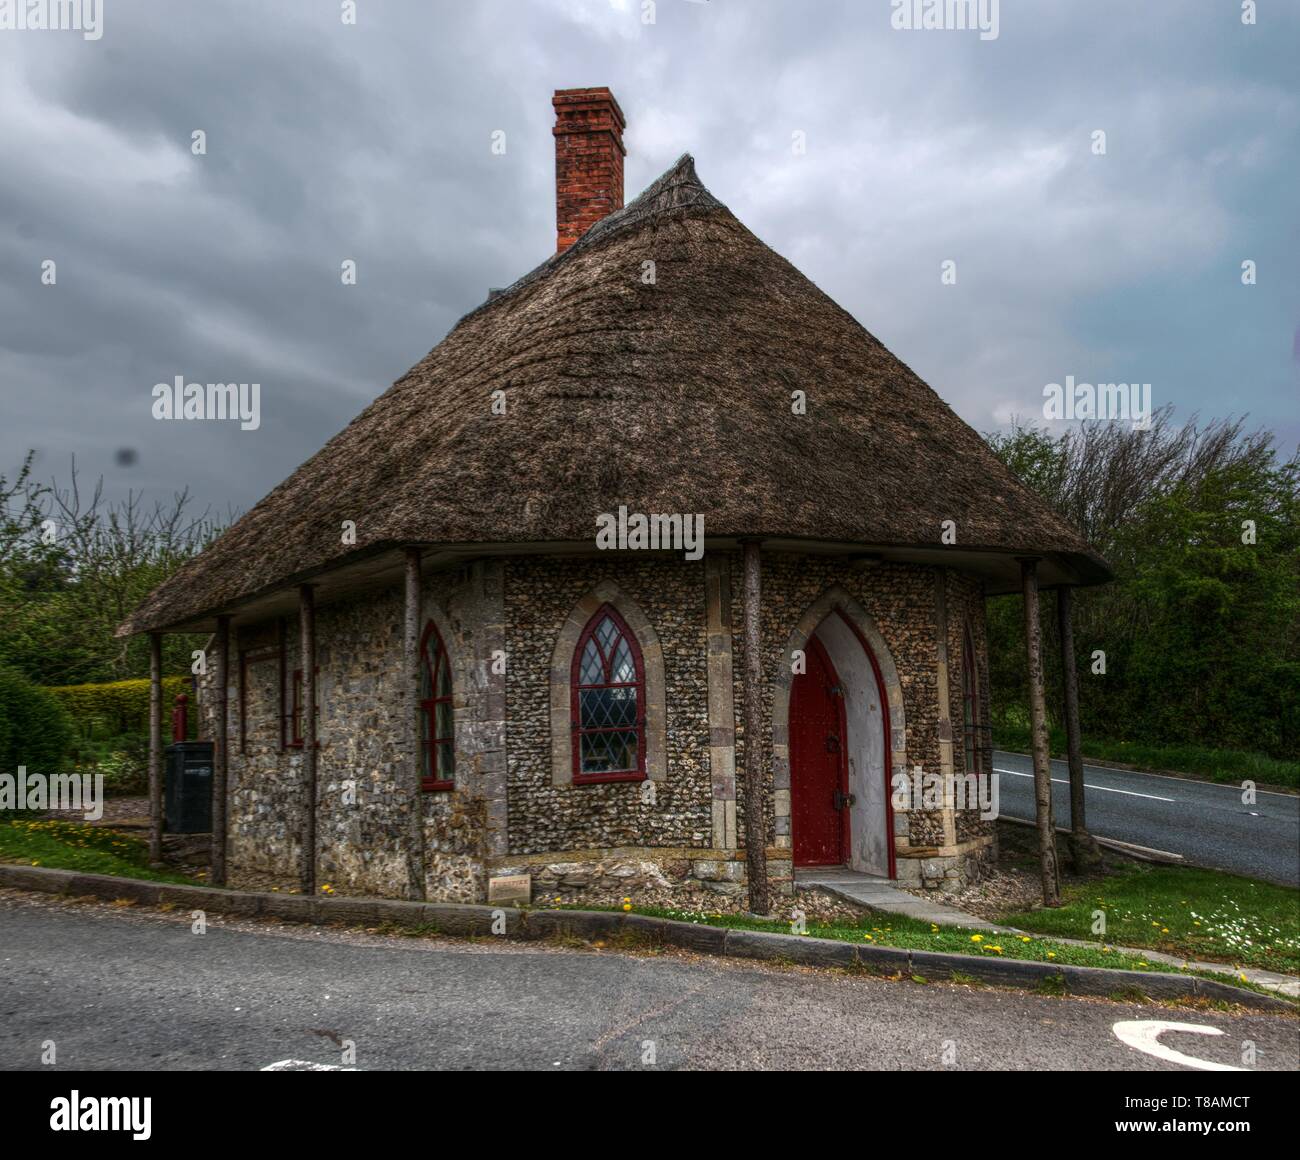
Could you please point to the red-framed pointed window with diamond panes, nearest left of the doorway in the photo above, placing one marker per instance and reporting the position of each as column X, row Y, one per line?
column 609, row 704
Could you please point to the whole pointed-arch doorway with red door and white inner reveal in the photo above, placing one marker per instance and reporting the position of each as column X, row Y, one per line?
column 840, row 751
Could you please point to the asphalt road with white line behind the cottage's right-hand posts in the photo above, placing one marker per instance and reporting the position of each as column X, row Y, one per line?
column 1206, row 824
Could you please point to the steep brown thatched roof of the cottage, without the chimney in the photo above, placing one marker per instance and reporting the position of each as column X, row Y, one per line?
column 673, row 397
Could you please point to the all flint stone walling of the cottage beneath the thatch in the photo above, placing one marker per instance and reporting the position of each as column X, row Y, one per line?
column 506, row 813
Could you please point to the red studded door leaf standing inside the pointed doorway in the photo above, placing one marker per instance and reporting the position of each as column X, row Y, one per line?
column 820, row 773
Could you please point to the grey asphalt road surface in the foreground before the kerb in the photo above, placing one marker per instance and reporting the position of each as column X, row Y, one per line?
column 116, row 989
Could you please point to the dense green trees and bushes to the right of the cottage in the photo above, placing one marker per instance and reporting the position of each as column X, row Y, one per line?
column 1201, row 630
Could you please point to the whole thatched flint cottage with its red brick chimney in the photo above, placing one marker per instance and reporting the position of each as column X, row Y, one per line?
column 445, row 651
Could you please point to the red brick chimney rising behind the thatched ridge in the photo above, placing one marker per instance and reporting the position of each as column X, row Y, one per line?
column 588, row 161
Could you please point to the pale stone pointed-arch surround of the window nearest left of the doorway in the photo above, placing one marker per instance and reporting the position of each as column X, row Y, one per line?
column 561, row 678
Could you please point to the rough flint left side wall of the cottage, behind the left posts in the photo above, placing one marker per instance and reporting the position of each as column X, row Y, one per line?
column 363, row 794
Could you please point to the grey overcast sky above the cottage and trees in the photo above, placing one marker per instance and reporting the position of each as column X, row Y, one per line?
column 374, row 142
